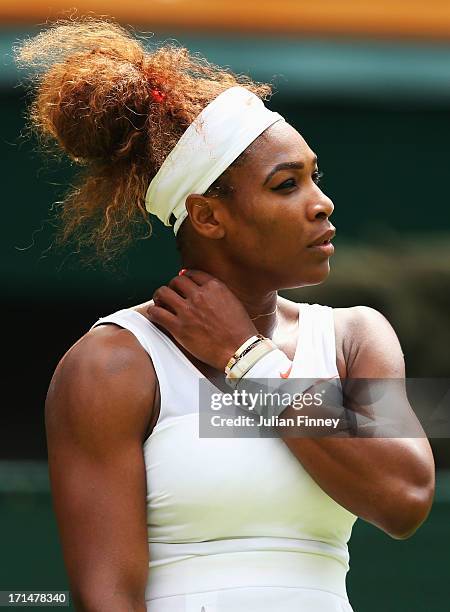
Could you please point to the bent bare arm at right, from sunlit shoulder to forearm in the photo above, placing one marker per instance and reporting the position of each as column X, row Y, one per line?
column 386, row 481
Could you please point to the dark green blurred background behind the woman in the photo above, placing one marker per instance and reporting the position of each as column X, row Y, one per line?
column 377, row 112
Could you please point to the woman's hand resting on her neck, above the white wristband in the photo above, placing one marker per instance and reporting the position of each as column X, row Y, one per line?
column 203, row 315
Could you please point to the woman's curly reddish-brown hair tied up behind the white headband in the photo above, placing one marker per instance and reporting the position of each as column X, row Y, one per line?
column 92, row 83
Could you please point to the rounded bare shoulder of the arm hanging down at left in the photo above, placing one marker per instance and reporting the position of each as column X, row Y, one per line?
column 107, row 379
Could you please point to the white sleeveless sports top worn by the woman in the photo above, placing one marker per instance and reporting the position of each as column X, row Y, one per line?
column 228, row 513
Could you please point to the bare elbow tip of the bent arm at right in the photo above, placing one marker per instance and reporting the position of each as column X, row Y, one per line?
column 407, row 512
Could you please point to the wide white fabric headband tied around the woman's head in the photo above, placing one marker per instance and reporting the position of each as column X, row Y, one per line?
column 216, row 137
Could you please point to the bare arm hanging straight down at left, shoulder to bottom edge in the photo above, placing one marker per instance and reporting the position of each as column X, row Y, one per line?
column 97, row 412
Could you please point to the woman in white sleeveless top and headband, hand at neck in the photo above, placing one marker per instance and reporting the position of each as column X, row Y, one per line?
column 152, row 515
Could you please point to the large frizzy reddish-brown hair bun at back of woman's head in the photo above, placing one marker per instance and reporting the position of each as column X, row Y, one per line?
column 93, row 99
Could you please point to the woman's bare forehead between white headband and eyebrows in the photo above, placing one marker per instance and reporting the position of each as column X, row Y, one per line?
column 279, row 143
